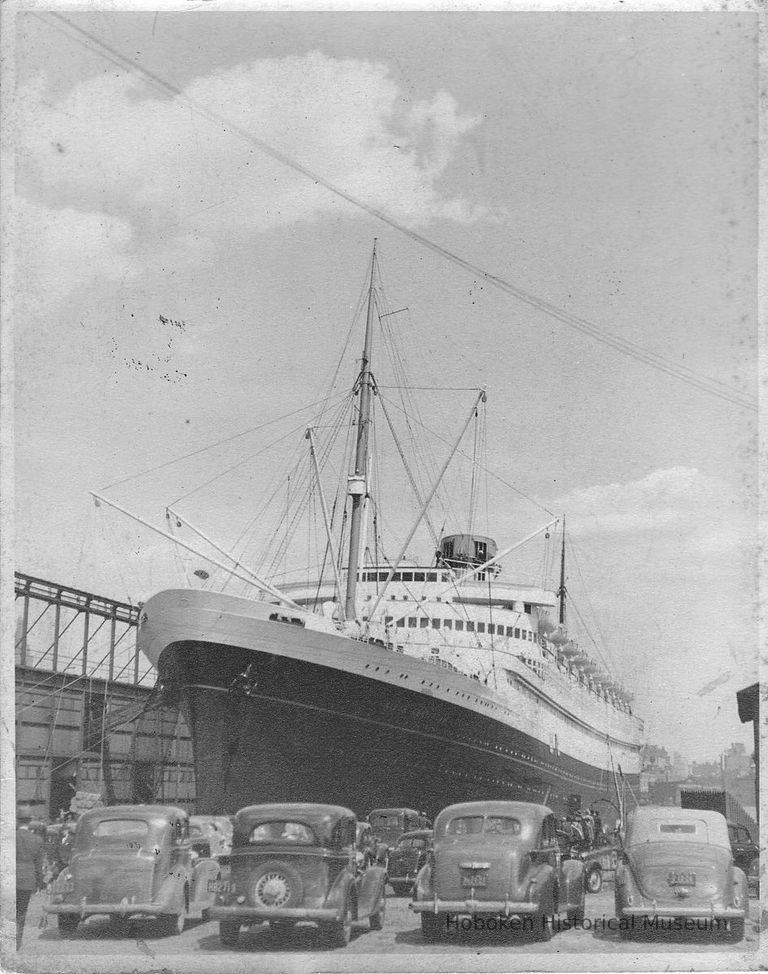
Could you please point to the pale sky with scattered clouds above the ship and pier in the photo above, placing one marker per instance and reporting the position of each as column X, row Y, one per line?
column 177, row 283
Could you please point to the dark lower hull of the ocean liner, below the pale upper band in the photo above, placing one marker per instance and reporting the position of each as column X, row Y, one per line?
column 270, row 728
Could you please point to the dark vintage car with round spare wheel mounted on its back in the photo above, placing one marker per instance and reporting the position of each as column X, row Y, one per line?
column 296, row 862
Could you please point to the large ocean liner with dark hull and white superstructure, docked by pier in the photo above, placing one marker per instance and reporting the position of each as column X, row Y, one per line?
column 393, row 683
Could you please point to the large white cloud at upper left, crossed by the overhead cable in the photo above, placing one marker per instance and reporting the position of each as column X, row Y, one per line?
column 113, row 144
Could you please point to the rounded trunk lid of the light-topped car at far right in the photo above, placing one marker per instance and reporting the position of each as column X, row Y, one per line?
column 658, row 868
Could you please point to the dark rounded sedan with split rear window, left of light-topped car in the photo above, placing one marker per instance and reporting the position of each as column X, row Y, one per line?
column 497, row 859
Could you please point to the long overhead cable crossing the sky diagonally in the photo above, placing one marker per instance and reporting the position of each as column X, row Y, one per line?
column 677, row 371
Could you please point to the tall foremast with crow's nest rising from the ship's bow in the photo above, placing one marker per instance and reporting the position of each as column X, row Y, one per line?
column 358, row 481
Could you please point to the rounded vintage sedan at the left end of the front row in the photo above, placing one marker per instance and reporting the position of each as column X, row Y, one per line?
column 133, row 860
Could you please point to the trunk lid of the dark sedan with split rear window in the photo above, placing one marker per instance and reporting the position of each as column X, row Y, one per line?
column 501, row 867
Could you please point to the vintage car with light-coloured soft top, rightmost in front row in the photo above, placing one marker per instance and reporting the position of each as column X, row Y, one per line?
column 676, row 866
